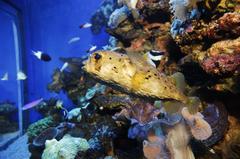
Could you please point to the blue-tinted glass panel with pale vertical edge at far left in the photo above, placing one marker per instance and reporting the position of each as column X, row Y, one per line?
column 10, row 85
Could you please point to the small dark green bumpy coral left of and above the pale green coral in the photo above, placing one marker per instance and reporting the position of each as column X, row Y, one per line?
column 36, row 128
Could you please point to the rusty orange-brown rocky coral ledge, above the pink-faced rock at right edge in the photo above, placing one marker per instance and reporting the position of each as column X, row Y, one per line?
column 225, row 27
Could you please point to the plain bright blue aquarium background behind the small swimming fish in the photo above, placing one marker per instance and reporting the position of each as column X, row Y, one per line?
column 46, row 26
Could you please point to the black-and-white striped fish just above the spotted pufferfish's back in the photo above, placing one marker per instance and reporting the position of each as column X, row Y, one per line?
column 154, row 57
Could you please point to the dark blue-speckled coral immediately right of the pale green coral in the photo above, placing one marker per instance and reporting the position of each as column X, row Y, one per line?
column 100, row 131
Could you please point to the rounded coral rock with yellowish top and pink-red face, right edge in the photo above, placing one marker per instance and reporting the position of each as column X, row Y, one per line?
column 222, row 58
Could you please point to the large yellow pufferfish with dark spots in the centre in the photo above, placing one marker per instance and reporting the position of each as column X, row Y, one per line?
column 119, row 70
